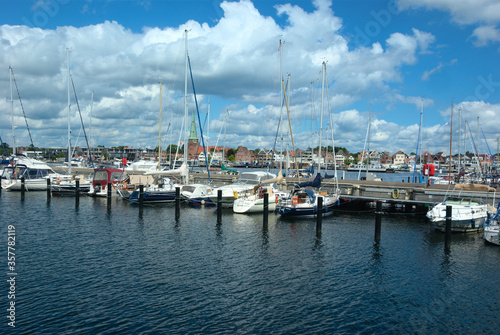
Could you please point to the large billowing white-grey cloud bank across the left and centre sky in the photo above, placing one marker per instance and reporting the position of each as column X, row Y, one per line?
column 235, row 64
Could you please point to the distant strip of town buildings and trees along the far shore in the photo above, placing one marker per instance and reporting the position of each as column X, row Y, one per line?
column 244, row 157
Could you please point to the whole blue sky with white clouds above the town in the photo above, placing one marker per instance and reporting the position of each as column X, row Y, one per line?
column 395, row 72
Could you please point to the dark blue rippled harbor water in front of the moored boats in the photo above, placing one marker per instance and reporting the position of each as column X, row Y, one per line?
column 90, row 270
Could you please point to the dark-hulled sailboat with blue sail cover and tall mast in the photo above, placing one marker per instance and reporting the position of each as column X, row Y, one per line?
column 302, row 201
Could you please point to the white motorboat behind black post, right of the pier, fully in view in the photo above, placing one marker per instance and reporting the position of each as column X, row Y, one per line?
column 467, row 214
